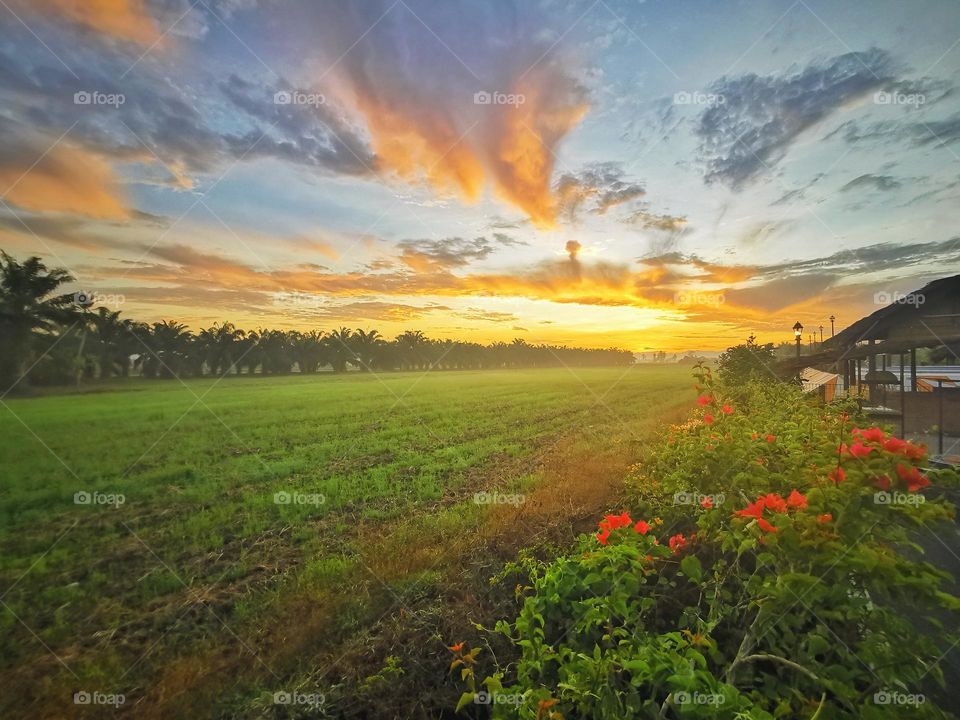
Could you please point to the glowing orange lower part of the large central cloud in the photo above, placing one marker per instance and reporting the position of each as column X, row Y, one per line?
column 508, row 145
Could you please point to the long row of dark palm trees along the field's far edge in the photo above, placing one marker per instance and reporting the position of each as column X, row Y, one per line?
column 49, row 337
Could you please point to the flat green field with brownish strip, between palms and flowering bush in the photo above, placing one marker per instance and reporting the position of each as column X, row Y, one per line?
column 206, row 590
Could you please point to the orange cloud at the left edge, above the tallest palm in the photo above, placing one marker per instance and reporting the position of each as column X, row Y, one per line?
column 66, row 179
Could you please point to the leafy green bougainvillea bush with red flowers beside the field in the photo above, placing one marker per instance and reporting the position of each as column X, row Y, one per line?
column 767, row 566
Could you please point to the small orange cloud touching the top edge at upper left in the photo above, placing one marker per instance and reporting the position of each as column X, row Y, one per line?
column 123, row 19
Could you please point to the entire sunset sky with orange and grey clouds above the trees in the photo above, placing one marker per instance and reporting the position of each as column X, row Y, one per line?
column 669, row 174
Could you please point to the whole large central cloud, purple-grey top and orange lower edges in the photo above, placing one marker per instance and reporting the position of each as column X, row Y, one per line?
column 414, row 90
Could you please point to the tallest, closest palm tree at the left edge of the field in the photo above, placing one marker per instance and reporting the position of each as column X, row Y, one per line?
column 28, row 308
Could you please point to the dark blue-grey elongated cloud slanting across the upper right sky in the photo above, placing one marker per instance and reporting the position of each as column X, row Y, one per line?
column 762, row 116
